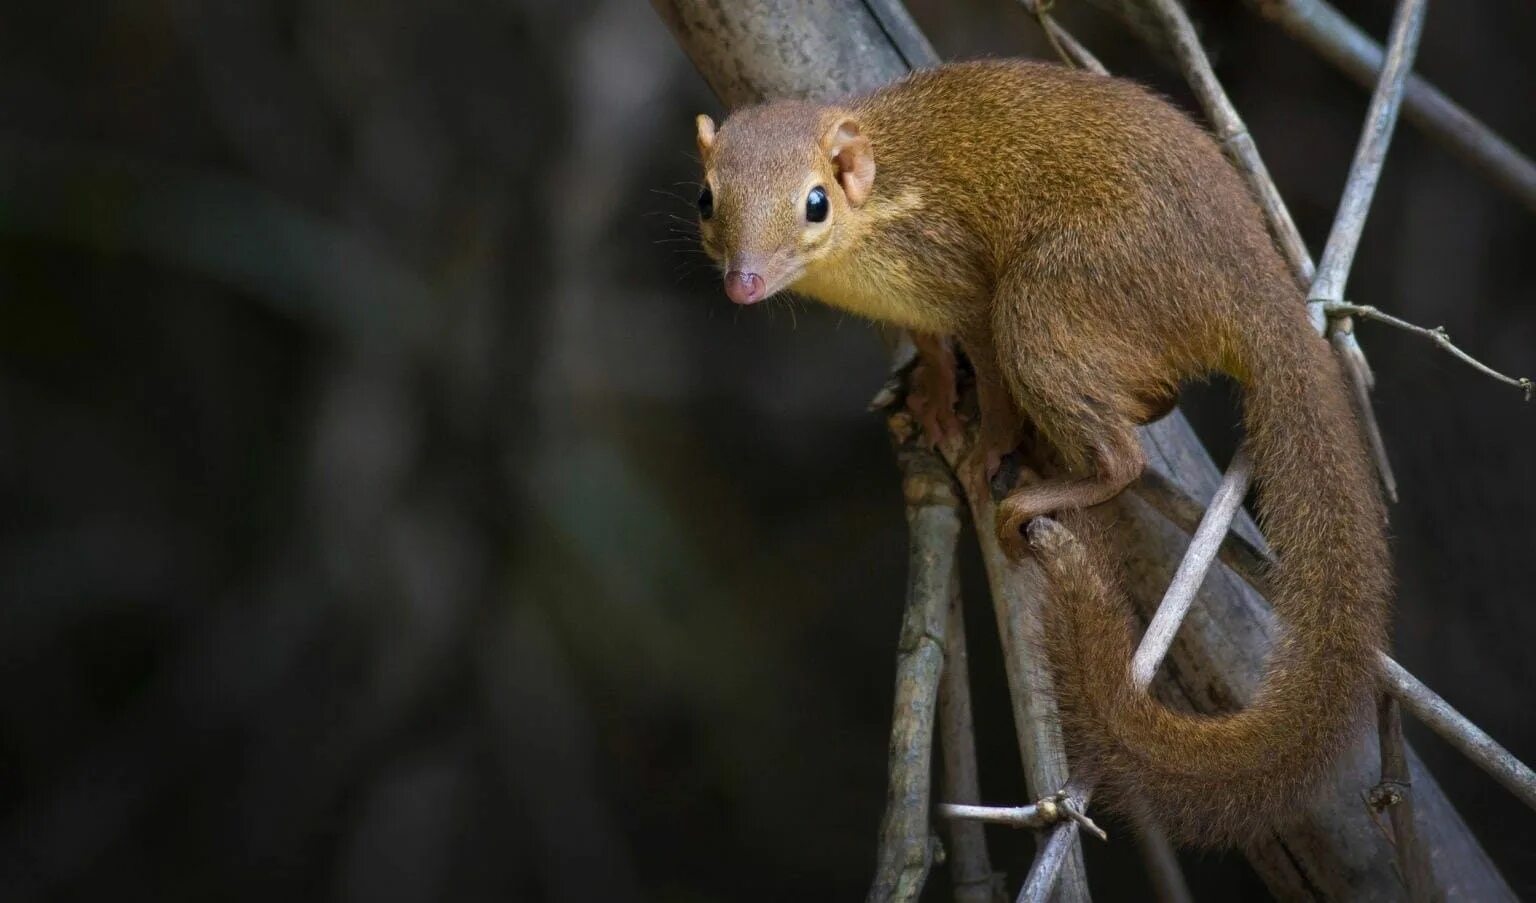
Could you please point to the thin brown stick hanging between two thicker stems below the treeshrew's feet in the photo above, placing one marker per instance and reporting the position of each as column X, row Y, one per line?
column 970, row 867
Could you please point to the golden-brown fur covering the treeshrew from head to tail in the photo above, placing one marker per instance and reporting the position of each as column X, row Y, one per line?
column 1091, row 250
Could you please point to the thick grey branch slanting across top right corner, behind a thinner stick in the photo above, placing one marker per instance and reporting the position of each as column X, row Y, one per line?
column 1352, row 51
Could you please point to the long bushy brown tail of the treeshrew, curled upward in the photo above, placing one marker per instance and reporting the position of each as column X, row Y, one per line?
column 1222, row 779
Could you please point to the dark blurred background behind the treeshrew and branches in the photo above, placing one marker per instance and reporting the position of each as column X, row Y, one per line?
column 394, row 509
